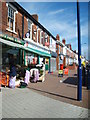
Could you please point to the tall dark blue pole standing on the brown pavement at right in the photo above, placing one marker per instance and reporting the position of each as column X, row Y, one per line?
column 79, row 87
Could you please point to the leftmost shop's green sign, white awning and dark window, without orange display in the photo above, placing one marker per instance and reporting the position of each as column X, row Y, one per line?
column 11, row 46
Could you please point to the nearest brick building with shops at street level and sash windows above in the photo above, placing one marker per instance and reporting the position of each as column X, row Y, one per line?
column 21, row 34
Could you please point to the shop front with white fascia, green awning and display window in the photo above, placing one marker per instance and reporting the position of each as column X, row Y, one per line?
column 36, row 54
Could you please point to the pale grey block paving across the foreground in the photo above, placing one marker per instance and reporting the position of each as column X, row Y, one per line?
column 25, row 103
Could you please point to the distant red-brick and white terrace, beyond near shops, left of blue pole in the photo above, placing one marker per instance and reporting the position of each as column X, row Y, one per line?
column 65, row 54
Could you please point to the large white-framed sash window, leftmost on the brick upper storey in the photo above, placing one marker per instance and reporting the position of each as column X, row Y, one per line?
column 10, row 18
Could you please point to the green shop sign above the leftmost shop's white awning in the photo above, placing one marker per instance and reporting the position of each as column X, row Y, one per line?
column 11, row 39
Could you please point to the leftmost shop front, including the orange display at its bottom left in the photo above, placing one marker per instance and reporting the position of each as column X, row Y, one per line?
column 11, row 52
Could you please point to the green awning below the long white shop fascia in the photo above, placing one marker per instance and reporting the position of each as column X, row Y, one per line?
column 41, row 53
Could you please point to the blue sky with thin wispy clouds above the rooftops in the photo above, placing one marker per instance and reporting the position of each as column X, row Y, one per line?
column 61, row 18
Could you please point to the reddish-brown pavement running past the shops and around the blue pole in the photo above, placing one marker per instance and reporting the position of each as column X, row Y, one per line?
column 62, row 89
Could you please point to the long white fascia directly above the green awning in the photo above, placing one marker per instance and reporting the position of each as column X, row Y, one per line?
column 30, row 44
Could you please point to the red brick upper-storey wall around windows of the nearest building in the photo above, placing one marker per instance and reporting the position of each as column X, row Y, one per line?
column 18, row 25
